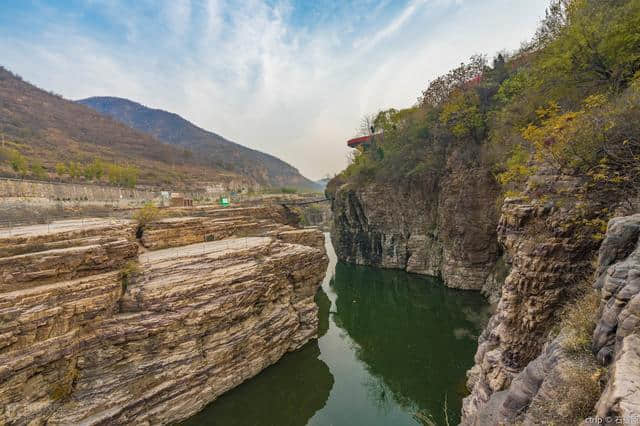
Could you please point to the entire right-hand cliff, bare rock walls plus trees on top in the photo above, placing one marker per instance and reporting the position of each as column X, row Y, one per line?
column 518, row 177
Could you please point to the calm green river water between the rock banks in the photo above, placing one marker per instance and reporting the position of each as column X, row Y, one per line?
column 393, row 350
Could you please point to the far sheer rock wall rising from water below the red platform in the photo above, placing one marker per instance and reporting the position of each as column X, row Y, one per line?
column 442, row 226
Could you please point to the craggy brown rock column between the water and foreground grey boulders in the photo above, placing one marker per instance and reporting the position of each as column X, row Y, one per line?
column 549, row 258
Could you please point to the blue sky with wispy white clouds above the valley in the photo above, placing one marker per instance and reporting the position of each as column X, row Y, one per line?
column 289, row 77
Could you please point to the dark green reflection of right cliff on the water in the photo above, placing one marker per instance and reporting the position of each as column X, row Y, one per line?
column 416, row 337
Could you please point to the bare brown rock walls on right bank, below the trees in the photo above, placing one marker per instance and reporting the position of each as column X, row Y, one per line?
column 527, row 368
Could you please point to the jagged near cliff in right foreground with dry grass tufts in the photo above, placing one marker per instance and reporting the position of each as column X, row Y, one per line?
column 551, row 379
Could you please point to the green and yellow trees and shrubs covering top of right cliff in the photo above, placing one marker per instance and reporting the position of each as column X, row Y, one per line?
column 567, row 102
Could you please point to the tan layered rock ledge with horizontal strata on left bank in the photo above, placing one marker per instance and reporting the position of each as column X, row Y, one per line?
column 158, row 344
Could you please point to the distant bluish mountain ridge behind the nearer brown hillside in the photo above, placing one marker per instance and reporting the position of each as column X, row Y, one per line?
column 209, row 147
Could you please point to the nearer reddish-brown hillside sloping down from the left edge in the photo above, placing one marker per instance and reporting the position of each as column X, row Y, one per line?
column 41, row 131
